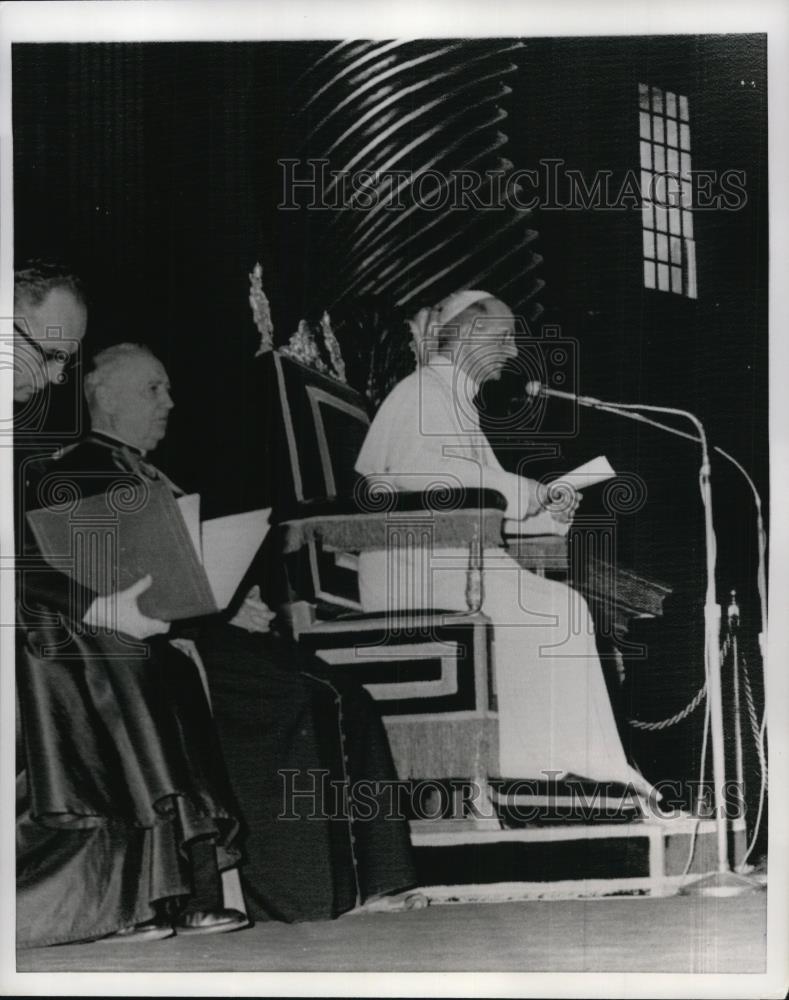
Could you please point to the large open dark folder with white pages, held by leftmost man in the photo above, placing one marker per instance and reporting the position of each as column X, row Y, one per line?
column 108, row 542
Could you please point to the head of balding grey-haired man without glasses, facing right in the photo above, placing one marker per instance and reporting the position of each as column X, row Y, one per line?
column 128, row 394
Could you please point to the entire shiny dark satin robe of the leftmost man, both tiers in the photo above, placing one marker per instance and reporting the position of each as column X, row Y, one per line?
column 120, row 766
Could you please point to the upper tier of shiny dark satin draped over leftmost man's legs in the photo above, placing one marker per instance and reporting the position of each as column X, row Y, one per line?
column 113, row 736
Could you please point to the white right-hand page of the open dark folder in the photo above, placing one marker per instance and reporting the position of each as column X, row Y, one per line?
column 229, row 546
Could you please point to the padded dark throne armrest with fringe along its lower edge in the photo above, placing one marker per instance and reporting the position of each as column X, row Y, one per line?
column 454, row 517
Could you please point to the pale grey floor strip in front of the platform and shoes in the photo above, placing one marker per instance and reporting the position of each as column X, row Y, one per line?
column 681, row 934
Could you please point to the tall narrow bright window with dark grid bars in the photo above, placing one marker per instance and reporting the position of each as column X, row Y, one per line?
column 666, row 192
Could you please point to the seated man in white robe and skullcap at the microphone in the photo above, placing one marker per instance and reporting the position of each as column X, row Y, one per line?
column 555, row 716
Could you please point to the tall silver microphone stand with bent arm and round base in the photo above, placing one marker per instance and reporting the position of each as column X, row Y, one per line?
column 724, row 881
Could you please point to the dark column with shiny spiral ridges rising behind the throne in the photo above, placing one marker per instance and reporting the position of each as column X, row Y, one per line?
column 407, row 143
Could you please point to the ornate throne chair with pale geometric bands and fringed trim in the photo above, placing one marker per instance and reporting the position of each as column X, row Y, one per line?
column 430, row 671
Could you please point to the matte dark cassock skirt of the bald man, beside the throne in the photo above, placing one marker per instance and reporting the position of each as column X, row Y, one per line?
column 286, row 729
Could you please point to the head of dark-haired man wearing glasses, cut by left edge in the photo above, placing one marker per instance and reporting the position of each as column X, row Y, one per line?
column 50, row 317
